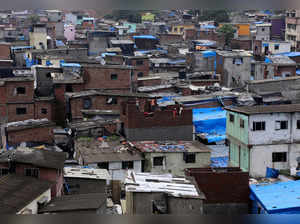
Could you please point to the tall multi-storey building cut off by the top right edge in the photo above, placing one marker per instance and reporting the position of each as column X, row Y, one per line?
column 292, row 28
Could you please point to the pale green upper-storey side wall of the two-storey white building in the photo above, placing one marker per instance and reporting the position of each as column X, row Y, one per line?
column 233, row 128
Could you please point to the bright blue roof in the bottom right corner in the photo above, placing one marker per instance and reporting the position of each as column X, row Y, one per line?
column 280, row 197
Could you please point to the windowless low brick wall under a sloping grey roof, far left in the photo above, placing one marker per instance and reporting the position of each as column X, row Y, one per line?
column 35, row 134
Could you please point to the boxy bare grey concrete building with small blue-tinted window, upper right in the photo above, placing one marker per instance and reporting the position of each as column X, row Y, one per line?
column 234, row 67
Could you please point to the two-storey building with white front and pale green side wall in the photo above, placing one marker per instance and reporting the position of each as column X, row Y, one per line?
column 264, row 136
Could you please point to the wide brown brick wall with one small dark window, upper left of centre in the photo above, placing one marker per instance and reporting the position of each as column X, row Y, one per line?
column 100, row 78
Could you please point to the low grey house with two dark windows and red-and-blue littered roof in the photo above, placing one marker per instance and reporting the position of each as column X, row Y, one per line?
column 173, row 156
